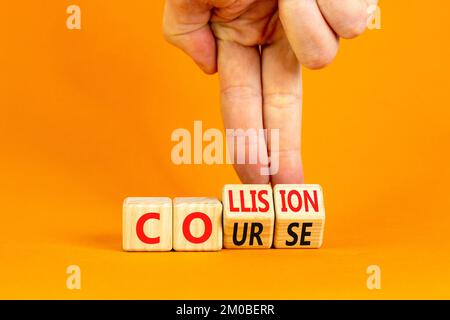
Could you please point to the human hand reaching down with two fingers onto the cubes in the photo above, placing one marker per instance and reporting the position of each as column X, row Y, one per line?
column 257, row 46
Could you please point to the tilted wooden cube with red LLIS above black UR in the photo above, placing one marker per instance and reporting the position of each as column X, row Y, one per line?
column 248, row 216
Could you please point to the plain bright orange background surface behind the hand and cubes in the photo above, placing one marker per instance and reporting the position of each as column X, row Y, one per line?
column 86, row 119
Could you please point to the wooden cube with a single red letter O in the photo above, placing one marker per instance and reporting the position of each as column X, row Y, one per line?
column 197, row 224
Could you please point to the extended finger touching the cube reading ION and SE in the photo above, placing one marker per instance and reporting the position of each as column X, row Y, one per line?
column 282, row 105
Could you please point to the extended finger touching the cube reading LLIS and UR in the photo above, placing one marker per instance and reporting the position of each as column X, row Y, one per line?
column 240, row 82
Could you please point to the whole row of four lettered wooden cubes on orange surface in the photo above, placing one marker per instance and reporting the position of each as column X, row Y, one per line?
column 252, row 216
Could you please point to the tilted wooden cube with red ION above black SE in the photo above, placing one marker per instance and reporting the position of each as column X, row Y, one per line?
column 299, row 216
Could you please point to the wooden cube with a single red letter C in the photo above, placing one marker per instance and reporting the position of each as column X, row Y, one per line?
column 147, row 224
